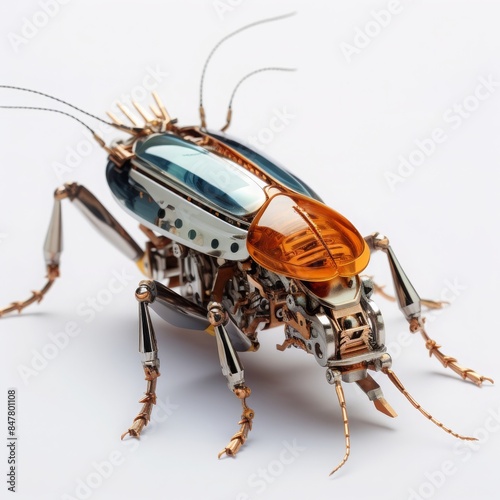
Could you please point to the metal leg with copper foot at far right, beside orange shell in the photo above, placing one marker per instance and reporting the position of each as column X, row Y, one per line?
column 410, row 305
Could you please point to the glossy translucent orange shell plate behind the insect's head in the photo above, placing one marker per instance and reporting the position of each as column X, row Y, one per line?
column 301, row 238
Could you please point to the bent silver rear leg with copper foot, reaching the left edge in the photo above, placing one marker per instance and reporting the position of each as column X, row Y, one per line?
column 97, row 214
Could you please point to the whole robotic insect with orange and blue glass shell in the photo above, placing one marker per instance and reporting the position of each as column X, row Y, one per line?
column 237, row 245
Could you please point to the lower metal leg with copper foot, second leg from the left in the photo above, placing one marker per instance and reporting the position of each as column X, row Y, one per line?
column 145, row 294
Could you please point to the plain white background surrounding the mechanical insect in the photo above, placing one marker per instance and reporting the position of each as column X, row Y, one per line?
column 351, row 121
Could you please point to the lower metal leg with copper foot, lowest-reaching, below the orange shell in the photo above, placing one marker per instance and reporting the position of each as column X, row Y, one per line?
column 233, row 370
